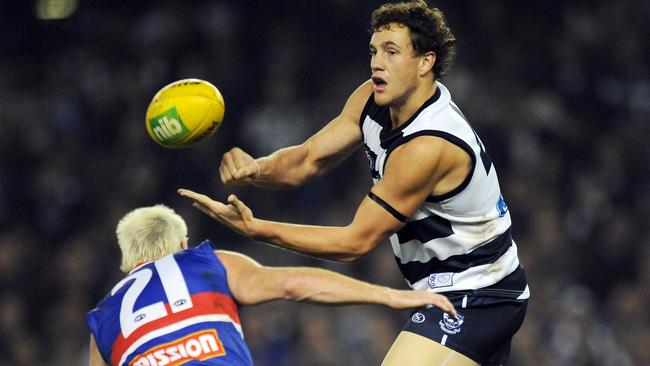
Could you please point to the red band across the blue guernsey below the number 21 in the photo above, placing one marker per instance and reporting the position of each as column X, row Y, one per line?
column 205, row 303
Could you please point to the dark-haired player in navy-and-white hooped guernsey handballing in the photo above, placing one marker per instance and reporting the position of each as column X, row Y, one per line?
column 436, row 195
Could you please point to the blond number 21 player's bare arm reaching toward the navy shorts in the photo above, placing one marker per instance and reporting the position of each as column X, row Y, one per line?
column 252, row 283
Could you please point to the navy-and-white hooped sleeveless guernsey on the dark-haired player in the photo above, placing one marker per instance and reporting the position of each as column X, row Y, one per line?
column 461, row 240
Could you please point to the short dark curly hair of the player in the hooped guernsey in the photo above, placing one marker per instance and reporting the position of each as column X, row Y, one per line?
column 429, row 30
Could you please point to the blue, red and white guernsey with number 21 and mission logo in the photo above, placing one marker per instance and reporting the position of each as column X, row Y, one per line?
column 176, row 310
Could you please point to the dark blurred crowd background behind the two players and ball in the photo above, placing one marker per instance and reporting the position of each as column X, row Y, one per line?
column 559, row 91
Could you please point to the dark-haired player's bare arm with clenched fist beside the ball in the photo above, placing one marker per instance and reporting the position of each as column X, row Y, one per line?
column 292, row 166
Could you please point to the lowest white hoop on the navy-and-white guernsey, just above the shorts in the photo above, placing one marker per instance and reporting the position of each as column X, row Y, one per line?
column 478, row 276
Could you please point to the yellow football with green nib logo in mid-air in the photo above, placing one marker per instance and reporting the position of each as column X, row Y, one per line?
column 184, row 113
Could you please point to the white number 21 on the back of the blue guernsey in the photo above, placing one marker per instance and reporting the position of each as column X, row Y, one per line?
column 174, row 286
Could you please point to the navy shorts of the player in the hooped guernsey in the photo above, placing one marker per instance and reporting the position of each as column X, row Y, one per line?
column 483, row 330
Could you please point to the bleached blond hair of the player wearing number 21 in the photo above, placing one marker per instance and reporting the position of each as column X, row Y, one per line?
column 149, row 233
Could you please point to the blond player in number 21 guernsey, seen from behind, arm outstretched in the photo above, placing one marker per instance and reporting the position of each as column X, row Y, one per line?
column 179, row 305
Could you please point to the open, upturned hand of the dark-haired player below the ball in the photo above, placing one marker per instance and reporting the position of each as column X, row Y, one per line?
column 235, row 214
